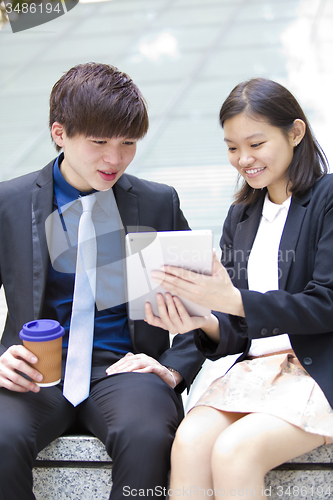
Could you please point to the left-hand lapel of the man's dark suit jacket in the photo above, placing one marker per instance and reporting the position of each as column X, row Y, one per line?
column 42, row 206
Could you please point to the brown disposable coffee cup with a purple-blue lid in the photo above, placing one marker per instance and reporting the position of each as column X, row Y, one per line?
column 43, row 338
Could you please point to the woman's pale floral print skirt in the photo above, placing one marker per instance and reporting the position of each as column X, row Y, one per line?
column 275, row 384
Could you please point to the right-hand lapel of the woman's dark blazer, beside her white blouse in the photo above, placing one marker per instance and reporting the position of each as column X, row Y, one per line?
column 290, row 235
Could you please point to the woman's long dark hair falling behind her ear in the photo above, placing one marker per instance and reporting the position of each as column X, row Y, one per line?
column 261, row 98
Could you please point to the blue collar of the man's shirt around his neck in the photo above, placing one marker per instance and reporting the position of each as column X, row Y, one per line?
column 66, row 194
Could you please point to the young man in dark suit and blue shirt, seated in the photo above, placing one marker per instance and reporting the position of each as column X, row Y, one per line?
column 97, row 114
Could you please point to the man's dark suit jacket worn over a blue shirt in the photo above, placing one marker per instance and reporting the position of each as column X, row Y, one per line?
column 26, row 202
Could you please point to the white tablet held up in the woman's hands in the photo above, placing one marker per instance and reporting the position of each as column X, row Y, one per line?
column 148, row 251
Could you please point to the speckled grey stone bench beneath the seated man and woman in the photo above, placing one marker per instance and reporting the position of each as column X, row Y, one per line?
column 78, row 468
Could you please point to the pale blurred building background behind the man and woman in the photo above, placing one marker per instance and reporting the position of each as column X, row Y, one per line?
column 186, row 56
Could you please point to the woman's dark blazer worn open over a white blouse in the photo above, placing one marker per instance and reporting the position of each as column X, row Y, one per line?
column 303, row 305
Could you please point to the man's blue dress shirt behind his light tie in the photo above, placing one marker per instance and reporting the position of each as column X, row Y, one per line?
column 111, row 326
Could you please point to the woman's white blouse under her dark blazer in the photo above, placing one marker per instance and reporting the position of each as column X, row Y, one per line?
column 263, row 271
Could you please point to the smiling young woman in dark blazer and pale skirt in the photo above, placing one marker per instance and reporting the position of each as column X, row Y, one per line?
column 272, row 298
